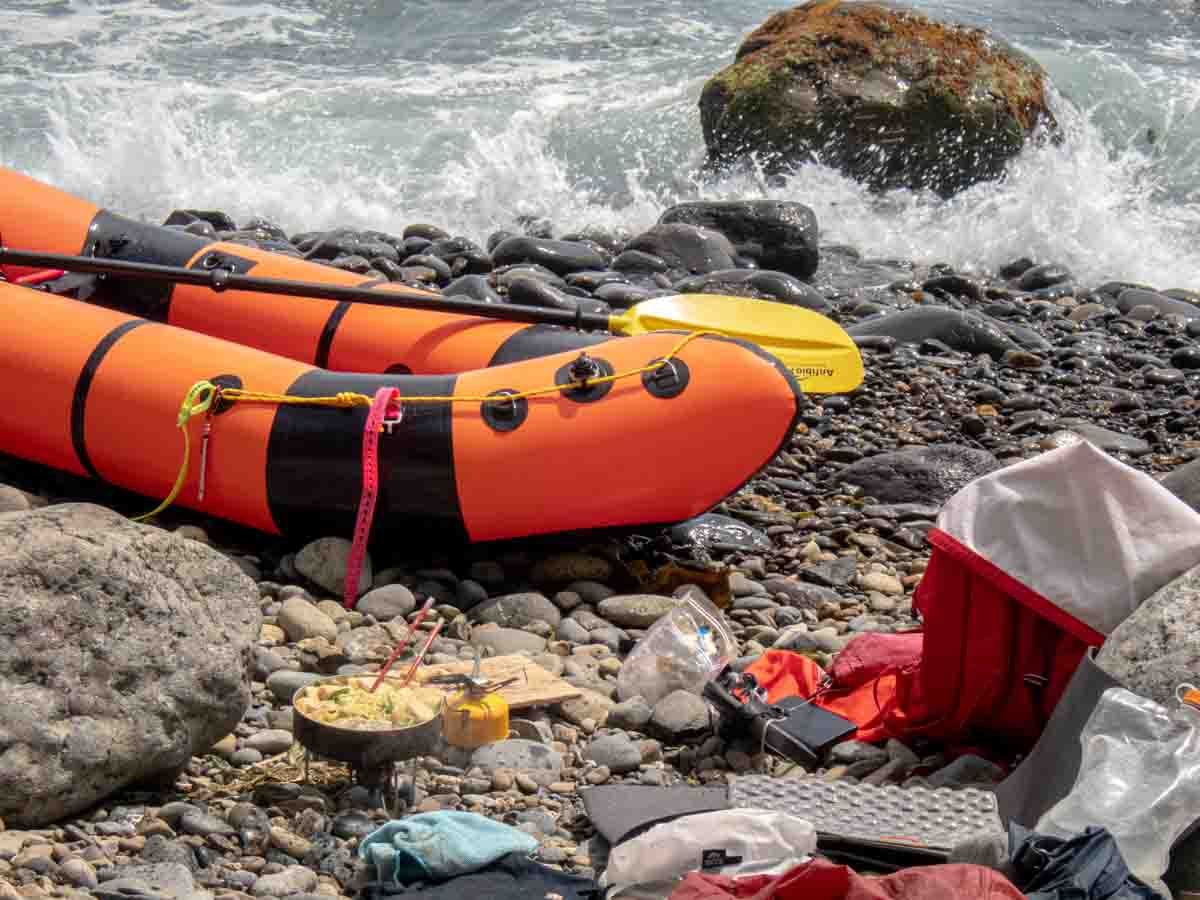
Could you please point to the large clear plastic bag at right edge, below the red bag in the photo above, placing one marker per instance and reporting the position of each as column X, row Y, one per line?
column 1139, row 778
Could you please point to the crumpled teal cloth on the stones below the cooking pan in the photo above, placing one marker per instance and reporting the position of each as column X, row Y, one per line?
column 434, row 847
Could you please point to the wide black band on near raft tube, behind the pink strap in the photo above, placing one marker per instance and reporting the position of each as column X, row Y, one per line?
column 315, row 464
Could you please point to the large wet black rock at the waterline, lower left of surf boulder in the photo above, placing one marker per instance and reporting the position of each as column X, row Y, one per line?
column 778, row 235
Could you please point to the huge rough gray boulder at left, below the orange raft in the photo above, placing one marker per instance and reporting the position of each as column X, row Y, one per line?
column 124, row 651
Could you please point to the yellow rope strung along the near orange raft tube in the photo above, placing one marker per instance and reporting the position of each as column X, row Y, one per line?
column 202, row 395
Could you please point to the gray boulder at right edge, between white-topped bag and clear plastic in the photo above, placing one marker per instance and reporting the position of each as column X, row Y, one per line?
column 1159, row 646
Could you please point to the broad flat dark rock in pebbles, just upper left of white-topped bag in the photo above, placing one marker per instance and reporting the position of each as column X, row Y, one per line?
column 927, row 475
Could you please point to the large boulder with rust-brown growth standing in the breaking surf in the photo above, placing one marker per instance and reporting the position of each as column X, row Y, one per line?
column 879, row 92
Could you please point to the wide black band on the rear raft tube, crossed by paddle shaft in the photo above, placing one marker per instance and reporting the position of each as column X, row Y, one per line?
column 113, row 237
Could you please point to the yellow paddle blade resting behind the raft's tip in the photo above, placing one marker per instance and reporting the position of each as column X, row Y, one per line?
column 815, row 349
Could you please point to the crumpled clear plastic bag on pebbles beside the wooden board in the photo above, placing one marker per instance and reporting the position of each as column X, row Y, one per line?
column 682, row 651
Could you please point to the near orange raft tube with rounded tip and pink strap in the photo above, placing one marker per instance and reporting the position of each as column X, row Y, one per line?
column 98, row 393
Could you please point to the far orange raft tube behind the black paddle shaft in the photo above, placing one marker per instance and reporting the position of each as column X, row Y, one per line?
column 341, row 337
